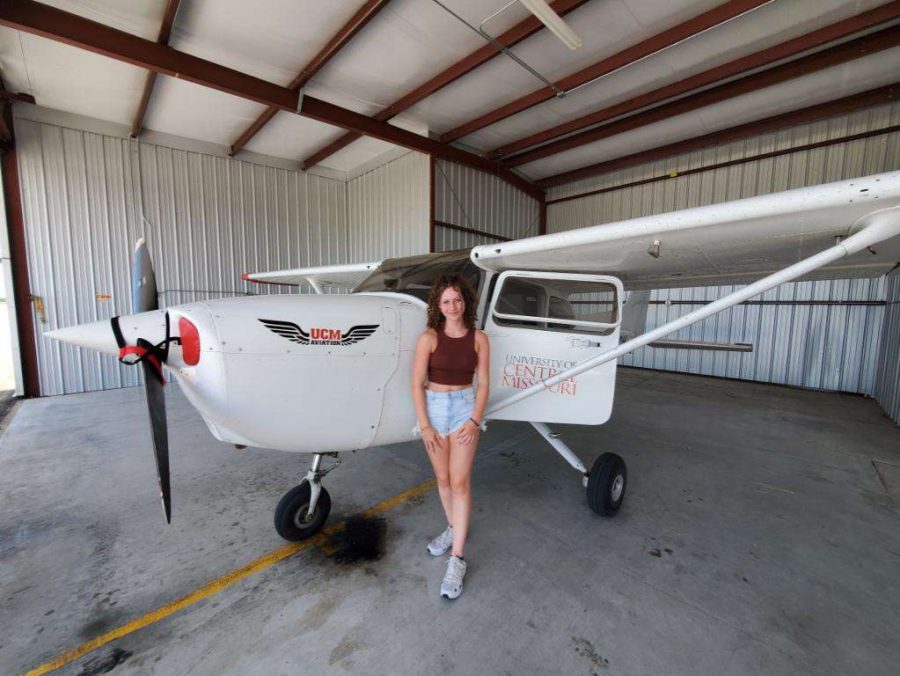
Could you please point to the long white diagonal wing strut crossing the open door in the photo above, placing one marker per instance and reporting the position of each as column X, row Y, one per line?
column 875, row 227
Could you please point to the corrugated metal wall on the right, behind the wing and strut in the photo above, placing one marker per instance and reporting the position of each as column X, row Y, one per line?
column 813, row 345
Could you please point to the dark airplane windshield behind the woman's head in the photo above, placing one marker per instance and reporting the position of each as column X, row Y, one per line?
column 415, row 275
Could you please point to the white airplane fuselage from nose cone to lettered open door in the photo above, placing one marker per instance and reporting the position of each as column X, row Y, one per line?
column 330, row 373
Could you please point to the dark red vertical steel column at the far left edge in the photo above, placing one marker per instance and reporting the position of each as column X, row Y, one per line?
column 19, row 262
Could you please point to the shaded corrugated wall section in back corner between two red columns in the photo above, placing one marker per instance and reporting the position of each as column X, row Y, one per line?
column 480, row 201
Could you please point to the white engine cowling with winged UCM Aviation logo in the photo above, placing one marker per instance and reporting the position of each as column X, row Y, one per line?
column 256, row 387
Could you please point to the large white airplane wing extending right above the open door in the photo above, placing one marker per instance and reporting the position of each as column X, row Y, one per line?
column 730, row 243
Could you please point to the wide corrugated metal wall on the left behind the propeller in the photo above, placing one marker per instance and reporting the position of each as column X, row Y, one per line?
column 208, row 219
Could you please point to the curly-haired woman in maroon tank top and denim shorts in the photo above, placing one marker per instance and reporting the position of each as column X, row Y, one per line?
column 449, row 354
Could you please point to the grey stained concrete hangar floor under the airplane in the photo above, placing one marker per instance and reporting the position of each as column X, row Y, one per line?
column 756, row 537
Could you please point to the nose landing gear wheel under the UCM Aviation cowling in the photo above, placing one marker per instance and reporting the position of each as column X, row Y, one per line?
column 303, row 510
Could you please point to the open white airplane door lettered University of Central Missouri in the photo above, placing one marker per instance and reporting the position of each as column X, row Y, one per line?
column 541, row 323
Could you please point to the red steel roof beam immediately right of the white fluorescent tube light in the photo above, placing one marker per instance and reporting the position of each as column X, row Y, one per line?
column 713, row 17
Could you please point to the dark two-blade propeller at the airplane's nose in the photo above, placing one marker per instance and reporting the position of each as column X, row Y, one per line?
column 144, row 298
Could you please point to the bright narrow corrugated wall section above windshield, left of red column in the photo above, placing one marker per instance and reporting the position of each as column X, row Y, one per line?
column 388, row 210
